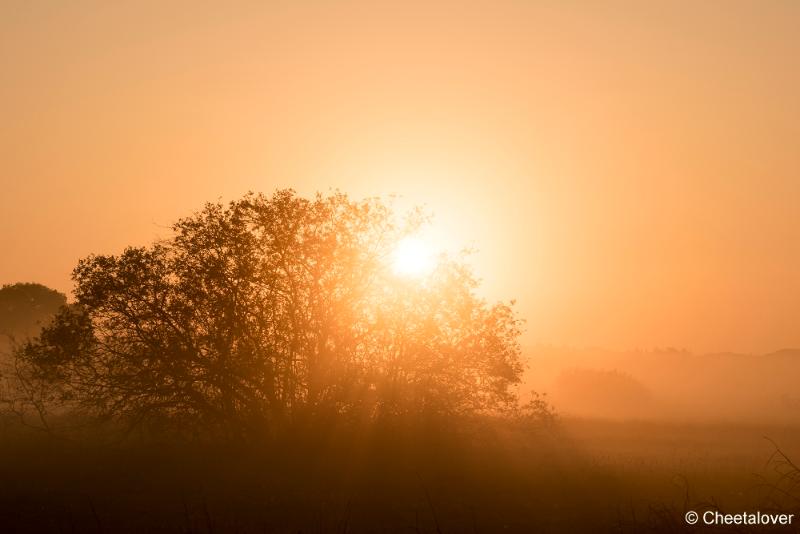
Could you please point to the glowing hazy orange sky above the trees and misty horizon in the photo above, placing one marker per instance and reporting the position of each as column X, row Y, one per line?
column 629, row 172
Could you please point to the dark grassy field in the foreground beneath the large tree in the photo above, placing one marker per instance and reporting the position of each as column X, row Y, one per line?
column 583, row 476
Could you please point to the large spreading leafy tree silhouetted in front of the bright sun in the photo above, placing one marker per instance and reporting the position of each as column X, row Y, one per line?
column 271, row 310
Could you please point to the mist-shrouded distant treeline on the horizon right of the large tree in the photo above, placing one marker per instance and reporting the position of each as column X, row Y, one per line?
column 669, row 385
